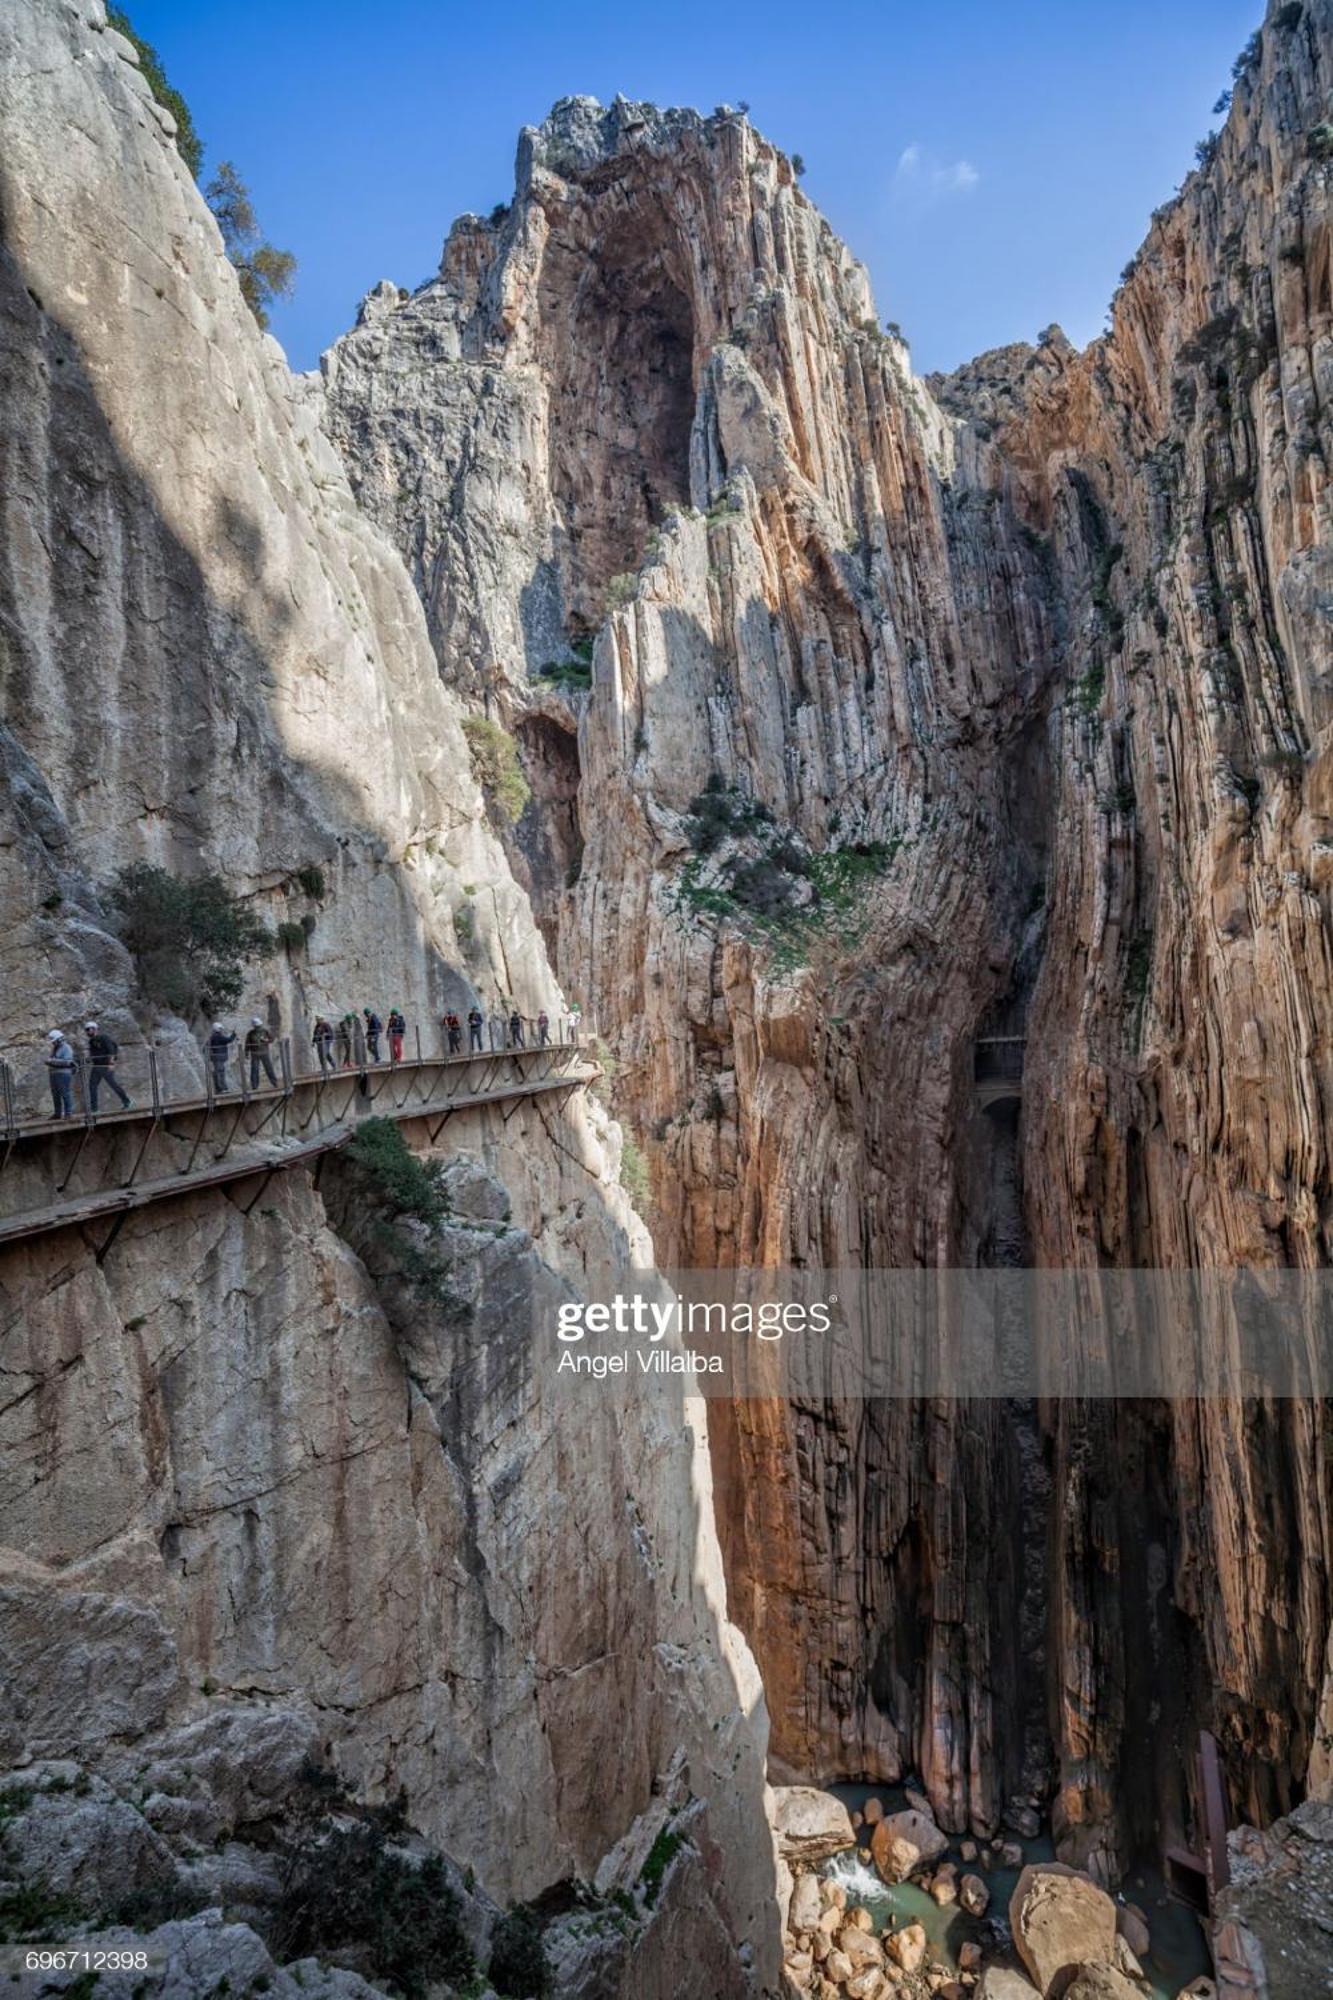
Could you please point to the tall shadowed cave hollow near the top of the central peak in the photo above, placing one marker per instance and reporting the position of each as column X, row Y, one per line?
column 621, row 401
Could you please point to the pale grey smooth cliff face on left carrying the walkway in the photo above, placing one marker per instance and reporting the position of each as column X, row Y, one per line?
column 249, row 1475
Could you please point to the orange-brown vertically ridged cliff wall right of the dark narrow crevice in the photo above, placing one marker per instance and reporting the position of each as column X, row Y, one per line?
column 1178, row 1083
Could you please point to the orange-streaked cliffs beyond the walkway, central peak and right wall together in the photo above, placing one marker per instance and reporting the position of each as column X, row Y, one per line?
column 1026, row 659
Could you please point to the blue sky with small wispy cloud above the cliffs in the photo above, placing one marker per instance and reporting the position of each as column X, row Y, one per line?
column 992, row 161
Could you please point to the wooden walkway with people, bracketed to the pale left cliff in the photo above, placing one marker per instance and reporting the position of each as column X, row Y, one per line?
column 259, row 1133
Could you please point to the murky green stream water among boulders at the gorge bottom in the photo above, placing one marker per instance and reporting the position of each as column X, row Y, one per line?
column 1178, row 1957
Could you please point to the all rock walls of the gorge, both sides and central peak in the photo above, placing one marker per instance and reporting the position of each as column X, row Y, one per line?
column 932, row 809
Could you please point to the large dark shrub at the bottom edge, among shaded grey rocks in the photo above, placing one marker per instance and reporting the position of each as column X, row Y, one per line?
column 351, row 1889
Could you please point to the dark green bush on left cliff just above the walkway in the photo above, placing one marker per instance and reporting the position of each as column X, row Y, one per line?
column 189, row 939
